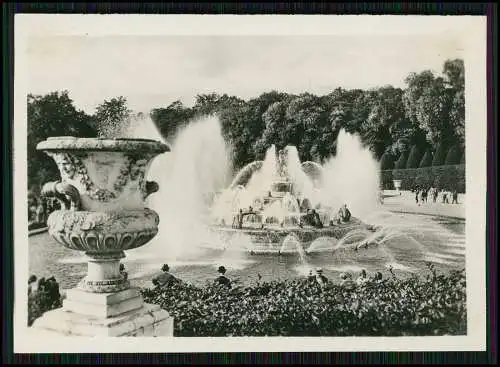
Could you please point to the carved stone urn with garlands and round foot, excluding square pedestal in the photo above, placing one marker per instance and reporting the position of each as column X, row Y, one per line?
column 103, row 189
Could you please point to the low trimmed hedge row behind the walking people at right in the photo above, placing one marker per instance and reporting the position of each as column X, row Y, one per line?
column 444, row 177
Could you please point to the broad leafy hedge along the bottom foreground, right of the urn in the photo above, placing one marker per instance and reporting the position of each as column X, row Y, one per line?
column 393, row 307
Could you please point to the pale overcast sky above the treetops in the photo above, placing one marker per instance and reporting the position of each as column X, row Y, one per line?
column 154, row 71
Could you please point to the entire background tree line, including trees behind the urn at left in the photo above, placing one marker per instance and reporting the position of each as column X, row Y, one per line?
column 418, row 126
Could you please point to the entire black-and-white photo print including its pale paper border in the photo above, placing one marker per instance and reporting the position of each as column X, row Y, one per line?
column 230, row 182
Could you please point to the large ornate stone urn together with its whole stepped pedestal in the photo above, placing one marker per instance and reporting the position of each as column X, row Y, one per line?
column 103, row 191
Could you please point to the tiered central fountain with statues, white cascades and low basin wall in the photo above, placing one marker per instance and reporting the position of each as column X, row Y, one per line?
column 277, row 199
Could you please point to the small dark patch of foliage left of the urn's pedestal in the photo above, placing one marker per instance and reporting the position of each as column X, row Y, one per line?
column 45, row 298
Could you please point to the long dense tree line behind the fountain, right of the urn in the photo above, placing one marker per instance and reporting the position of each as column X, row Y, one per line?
column 424, row 120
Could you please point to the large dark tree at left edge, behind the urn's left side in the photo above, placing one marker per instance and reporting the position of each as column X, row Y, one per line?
column 53, row 114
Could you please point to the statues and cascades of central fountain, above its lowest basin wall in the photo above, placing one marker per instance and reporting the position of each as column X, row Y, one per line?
column 277, row 202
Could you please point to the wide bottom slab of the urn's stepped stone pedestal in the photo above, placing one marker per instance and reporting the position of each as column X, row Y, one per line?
column 149, row 320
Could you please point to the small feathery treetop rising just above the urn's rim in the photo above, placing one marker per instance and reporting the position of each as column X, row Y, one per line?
column 112, row 117
